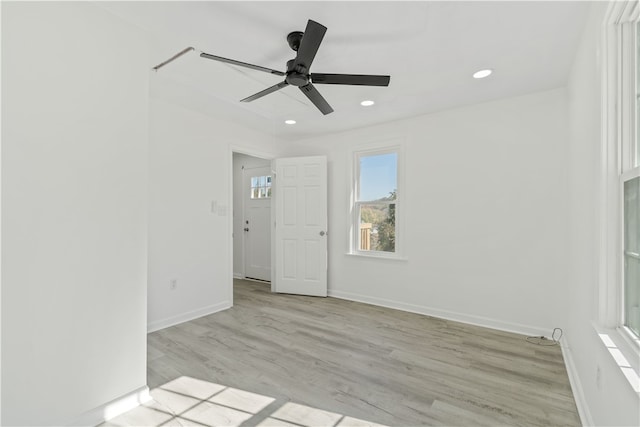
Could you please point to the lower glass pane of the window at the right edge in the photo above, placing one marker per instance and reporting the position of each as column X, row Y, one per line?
column 632, row 254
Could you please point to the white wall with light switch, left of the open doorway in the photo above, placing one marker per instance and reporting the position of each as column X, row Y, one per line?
column 190, row 167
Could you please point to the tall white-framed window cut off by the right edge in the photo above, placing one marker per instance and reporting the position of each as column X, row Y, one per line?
column 620, row 305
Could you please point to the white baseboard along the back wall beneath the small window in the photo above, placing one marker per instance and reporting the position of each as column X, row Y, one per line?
column 443, row 314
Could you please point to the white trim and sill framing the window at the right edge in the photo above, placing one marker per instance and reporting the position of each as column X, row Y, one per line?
column 618, row 130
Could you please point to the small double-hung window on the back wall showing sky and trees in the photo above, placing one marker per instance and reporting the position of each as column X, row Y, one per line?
column 376, row 202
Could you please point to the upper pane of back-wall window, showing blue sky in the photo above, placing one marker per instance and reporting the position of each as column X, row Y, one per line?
column 378, row 177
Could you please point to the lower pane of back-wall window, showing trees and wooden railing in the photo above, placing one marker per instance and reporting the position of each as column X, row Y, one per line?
column 377, row 227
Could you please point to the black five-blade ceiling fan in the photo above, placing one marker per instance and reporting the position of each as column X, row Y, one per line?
column 306, row 45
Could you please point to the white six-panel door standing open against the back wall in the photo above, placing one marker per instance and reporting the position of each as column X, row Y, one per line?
column 300, row 199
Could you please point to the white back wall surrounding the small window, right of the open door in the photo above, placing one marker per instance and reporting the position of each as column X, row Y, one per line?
column 485, row 205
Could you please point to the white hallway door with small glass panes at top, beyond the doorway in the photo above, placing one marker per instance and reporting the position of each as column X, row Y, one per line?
column 257, row 223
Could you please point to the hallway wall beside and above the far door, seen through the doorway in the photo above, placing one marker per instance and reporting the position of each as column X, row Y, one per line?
column 240, row 160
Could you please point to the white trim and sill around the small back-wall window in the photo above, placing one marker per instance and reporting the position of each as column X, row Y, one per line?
column 381, row 147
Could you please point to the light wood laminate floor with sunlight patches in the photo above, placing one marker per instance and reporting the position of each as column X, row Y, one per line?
column 294, row 360
